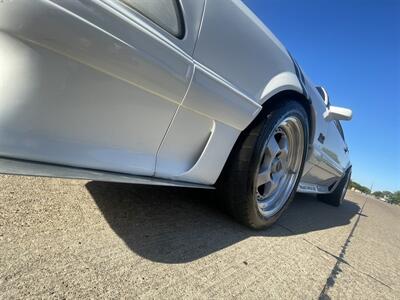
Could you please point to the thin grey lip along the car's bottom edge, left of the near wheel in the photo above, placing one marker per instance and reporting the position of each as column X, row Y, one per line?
column 13, row 166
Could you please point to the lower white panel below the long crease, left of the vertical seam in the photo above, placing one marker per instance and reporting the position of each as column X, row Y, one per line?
column 72, row 117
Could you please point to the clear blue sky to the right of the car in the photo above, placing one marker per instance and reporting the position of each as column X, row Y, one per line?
column 352, row 48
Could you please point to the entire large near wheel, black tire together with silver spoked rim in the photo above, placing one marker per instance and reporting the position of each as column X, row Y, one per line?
column 255, row 159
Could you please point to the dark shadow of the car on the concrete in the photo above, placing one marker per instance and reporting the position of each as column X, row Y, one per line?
column 178, row 225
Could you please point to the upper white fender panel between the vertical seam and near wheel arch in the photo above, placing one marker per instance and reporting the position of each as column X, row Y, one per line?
column 236, row 51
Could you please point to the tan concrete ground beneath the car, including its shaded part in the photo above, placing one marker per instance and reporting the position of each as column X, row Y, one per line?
column 71, row 238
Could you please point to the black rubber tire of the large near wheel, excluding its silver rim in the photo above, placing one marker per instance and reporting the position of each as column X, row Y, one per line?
column 236, row 186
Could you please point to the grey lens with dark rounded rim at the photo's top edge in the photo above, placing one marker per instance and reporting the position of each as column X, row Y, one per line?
column 165, row 13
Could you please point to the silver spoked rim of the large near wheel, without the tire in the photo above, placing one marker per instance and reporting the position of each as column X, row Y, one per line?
column 279, row 166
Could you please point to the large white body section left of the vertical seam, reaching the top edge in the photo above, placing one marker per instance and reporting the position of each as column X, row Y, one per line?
column 98, row 81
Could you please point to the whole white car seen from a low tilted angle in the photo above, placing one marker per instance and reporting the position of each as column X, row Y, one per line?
column 181, row 93
